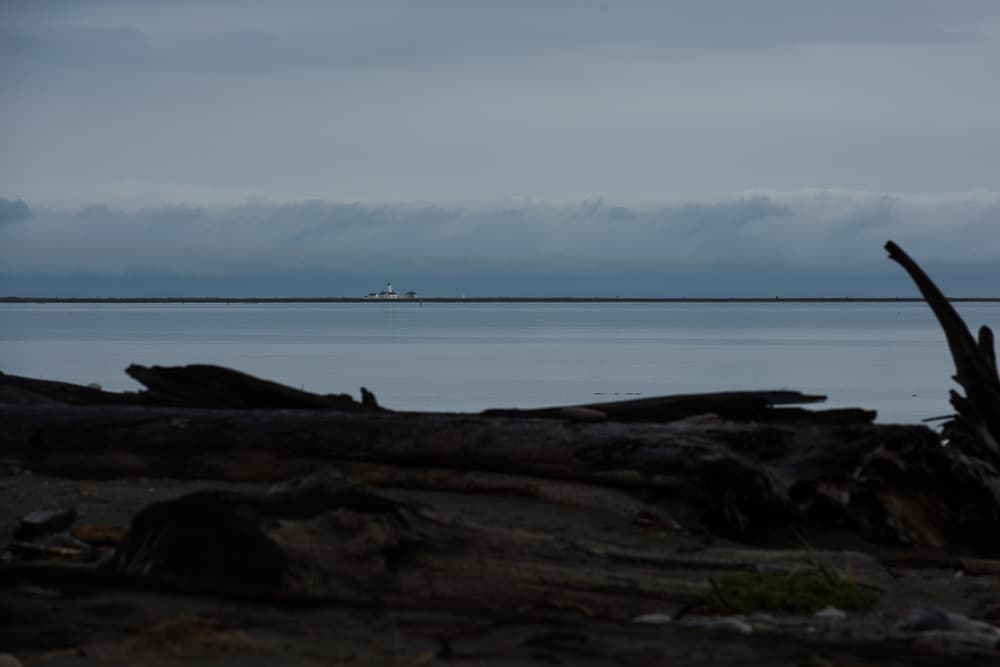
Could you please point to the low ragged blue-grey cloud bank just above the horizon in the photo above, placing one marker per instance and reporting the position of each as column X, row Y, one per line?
column 827, row 243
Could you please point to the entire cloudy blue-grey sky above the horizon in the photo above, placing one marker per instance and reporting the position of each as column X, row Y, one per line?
column 660, row 148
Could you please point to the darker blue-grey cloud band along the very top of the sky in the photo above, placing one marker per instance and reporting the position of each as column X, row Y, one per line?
column 408, row 33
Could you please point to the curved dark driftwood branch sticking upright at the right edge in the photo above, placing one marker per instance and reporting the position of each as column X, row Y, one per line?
column 975, row 361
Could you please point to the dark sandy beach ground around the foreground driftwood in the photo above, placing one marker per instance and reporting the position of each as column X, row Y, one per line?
column 84, row 624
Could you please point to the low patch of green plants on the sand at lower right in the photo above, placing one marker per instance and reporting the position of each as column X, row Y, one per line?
column 746, row 592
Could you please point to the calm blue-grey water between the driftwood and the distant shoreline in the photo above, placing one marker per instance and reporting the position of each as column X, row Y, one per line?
column 890, row 357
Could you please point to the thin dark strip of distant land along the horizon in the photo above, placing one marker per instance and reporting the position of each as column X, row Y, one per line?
column 493, row 299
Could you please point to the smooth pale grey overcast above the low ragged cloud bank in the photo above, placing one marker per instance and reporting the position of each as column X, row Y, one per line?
column 388, row 100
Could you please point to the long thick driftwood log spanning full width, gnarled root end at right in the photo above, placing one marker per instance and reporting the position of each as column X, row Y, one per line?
column 747, row 481
